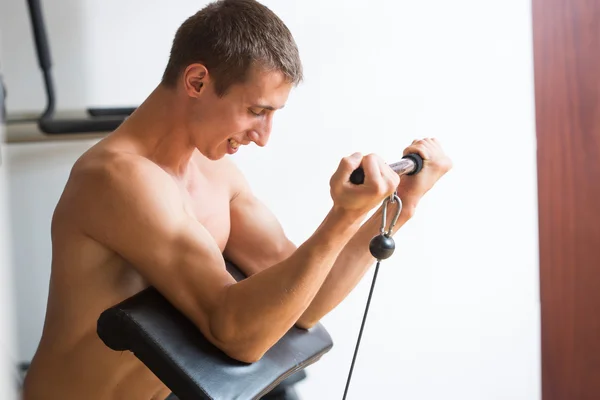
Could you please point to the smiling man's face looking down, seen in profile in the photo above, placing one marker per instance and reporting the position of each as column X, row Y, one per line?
column 221, row 125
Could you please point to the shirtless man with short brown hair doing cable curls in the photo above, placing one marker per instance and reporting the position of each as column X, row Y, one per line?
column 159, row 202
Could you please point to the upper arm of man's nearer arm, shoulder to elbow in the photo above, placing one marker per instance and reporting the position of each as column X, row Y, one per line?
column 141, row 218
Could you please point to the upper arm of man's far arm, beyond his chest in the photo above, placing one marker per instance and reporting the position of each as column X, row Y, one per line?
column 257, row 240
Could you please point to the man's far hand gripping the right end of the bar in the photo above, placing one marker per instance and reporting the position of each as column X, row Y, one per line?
column 435, row 165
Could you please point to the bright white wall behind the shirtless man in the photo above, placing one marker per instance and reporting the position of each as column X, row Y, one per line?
column 455, row 313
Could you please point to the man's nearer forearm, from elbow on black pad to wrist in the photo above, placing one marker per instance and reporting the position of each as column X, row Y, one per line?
column 258, row 310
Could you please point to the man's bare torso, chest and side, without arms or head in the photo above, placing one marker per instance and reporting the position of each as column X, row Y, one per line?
column 87, row 277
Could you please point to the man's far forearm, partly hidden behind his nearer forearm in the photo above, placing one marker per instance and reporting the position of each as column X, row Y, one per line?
column 351, row 265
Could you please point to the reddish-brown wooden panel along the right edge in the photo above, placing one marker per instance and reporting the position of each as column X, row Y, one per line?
column 567, row 93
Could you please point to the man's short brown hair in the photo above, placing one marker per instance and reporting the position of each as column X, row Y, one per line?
column 230, row 37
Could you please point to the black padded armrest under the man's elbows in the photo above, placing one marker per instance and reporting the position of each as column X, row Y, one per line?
column 188, row 364
